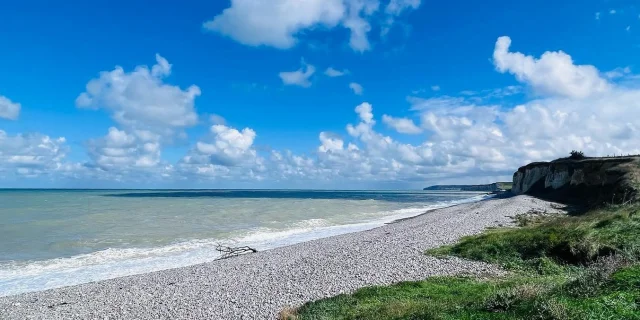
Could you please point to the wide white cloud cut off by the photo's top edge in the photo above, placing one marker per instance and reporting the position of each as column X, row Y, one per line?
column 279, row 23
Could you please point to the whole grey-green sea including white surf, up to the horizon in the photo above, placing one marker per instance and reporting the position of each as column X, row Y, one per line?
column 55, row 238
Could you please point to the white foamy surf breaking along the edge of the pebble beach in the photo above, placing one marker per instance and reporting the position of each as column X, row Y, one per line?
column 27, row 276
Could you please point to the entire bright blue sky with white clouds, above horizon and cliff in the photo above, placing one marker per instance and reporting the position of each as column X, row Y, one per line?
column 312, row 94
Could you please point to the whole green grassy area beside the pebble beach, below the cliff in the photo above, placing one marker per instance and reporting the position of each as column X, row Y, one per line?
column 574, row 267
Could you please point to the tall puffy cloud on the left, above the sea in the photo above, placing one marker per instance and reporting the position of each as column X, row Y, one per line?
column 149, row 112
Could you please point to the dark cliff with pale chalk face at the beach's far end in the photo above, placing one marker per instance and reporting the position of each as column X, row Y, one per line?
column 589, row 180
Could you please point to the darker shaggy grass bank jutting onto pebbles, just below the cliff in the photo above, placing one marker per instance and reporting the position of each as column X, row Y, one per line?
column 572, row 240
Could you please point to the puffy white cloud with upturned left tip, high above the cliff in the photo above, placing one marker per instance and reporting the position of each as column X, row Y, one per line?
column 553, row 74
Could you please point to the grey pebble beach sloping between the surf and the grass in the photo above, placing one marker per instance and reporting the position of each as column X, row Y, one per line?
column 260, row 285
